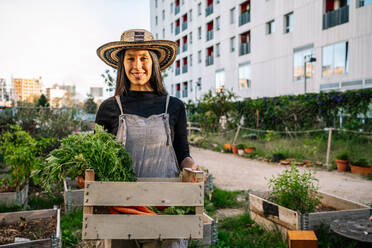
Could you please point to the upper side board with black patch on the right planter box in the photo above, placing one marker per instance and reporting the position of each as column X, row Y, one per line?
column 285, row 217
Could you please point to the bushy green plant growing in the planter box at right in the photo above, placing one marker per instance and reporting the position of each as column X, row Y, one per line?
column 294, row 190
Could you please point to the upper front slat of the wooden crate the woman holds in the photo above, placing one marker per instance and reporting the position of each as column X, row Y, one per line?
column 143, row 194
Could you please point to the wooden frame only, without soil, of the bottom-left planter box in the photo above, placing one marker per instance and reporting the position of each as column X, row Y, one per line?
column 54, row 242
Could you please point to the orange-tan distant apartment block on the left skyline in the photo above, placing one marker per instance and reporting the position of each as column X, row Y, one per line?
column 27, row 89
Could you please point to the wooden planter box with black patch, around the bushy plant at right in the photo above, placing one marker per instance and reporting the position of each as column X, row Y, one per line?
column 272, row 216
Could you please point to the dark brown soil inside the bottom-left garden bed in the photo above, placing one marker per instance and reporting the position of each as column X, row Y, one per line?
column 33, row 230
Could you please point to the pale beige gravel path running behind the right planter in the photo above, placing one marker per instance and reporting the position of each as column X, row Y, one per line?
column 232, row 172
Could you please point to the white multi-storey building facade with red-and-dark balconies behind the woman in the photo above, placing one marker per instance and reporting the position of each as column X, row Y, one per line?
column 261, row 48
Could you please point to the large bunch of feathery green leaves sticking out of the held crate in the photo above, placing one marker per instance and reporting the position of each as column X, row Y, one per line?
column 78, row 152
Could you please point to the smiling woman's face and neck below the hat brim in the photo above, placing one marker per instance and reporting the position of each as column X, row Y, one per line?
column 138, row 68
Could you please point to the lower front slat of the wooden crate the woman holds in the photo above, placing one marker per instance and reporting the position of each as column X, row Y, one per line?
column 99, row 226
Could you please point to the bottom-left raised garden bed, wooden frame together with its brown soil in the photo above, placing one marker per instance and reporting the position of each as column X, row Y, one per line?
column 40, row 228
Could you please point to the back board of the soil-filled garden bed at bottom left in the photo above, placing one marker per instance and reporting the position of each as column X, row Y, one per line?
column 28, row 215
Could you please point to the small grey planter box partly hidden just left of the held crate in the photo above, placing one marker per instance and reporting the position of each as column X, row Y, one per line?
column 73, row 197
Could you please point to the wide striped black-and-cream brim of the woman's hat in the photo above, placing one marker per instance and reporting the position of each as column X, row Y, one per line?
column 165, row 50
